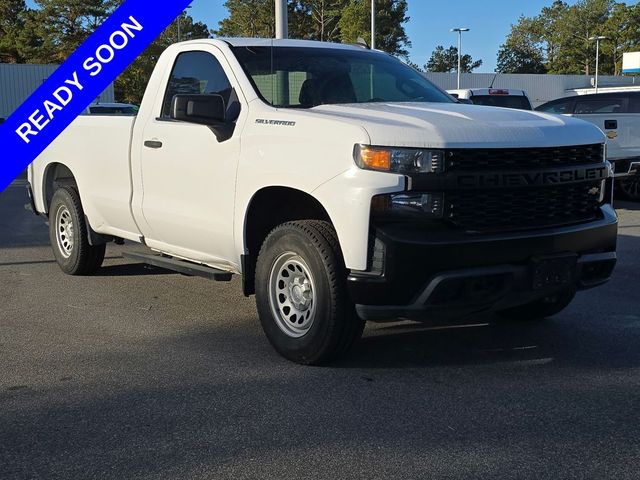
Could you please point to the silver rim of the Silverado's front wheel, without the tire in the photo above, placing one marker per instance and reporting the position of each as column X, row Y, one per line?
column 291, row 294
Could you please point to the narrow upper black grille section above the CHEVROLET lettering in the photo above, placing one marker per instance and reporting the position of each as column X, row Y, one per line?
column 516, row 158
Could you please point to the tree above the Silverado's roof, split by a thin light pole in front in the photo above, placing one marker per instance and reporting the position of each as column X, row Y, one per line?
column 391, row 15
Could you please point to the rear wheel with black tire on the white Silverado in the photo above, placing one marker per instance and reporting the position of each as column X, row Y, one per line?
column 68, row 235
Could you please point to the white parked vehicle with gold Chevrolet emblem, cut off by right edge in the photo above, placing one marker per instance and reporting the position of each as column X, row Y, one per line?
column 617, row 114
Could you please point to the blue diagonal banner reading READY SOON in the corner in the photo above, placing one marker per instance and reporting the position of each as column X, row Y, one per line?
column 80, row 80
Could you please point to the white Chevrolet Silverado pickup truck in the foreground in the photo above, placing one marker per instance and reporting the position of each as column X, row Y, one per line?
column 341, row 185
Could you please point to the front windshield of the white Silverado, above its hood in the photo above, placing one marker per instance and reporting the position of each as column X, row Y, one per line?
column 303, row 77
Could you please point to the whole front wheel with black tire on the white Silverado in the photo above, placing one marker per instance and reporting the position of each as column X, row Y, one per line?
column 301, row 294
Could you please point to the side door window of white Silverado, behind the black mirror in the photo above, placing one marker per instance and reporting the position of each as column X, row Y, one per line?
column 196, row 73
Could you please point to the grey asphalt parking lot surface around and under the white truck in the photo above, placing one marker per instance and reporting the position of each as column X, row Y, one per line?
column 141, row 373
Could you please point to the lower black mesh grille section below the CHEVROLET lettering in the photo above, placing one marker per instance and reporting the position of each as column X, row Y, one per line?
column 519, row 209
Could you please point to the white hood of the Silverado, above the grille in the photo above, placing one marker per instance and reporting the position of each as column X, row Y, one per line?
column 453, row 125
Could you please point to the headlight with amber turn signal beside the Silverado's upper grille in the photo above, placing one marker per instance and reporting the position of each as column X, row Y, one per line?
column 399, row 160
